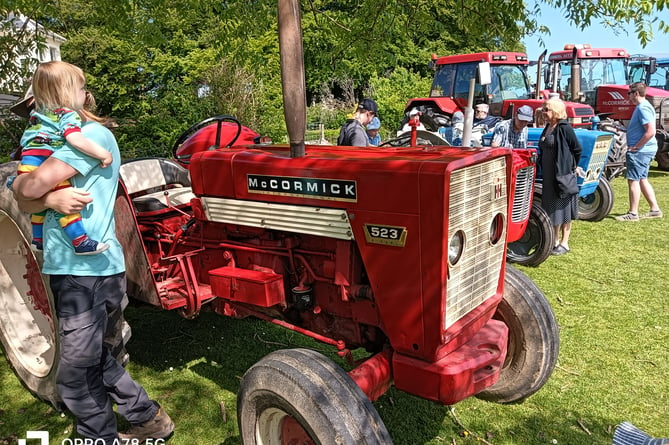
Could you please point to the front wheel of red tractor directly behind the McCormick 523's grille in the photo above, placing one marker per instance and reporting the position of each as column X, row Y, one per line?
column 537, row 242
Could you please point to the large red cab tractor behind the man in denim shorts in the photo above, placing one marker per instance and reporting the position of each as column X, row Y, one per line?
column 599, row 77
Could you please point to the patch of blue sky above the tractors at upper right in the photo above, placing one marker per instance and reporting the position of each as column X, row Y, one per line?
column 596, row 35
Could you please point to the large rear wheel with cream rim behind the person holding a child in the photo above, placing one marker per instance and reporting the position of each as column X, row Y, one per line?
column 28, row 326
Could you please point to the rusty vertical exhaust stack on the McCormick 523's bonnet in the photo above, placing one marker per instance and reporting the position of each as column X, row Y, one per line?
column 292, row 74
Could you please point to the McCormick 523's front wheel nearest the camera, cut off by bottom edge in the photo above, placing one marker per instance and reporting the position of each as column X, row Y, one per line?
column 298, row 396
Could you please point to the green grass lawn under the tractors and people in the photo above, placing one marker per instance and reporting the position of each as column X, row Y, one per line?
column 610, row 298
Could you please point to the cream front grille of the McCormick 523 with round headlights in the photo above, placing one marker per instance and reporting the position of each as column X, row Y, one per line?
column 477, row 194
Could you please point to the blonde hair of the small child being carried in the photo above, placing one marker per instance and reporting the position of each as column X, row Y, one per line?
column 56, row 84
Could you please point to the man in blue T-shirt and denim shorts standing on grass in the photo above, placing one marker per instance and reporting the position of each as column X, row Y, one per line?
column 641, row 149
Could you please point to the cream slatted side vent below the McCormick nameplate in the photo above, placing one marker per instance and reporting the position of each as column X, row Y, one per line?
column 332, row 223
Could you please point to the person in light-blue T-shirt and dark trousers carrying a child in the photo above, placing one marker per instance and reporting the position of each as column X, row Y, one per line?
column 85, row 290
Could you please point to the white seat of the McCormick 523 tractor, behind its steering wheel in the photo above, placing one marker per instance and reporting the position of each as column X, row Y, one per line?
column 156, row 184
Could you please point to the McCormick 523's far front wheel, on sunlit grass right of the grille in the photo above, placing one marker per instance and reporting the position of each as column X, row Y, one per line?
column 533, row 340
